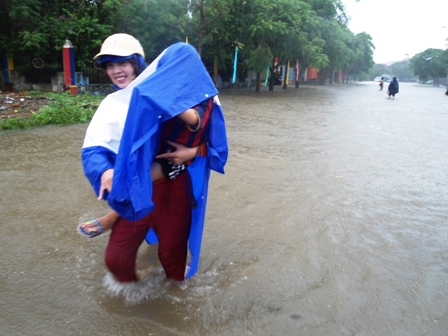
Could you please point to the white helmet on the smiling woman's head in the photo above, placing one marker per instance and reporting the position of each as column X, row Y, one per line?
column 121, row 45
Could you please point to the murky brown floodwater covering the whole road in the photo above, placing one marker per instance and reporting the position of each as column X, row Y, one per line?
column 331, row 219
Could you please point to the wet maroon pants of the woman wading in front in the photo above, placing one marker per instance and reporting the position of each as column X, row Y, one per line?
column 171, row 221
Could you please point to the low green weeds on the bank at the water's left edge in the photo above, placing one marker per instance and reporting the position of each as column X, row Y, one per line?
column 62, row 109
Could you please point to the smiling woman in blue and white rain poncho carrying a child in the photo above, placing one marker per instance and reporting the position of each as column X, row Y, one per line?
column 141, row 135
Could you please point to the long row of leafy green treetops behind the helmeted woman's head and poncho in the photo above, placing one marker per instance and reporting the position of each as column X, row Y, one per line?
column 266, row 32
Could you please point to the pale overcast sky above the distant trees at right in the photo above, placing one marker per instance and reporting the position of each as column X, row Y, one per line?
column 400, row 27
